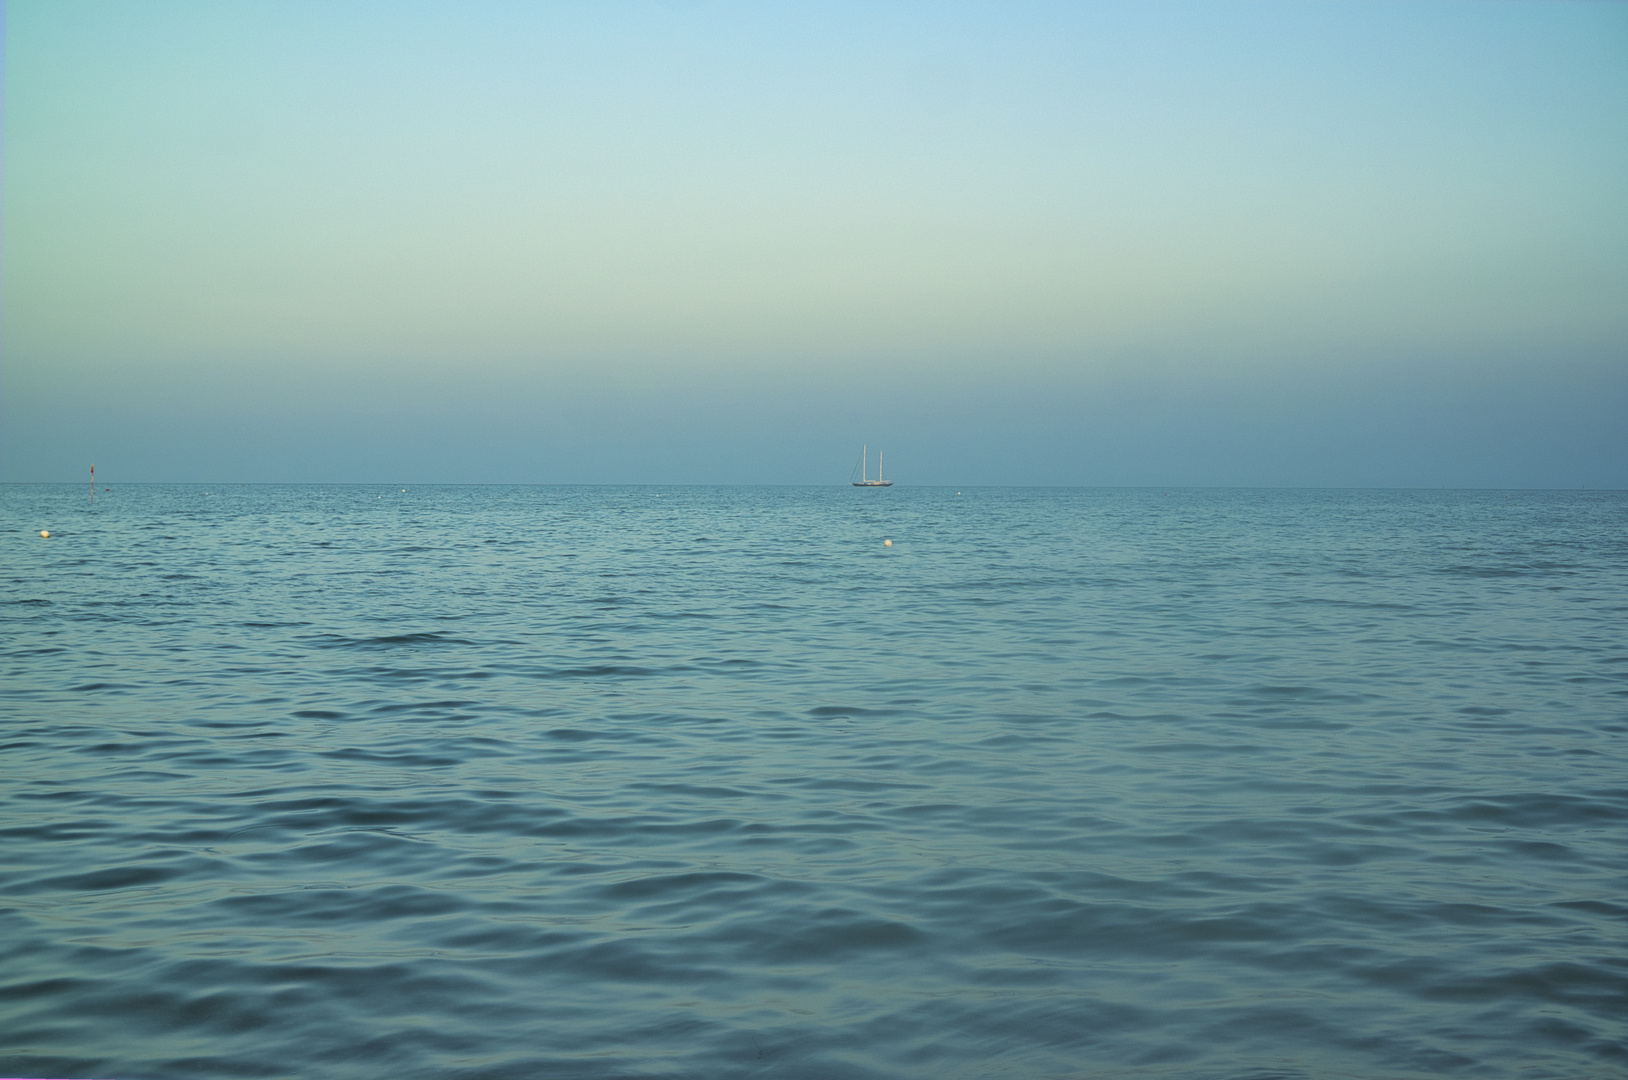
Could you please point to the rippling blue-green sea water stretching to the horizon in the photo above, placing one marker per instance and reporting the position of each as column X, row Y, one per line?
column 711, row 783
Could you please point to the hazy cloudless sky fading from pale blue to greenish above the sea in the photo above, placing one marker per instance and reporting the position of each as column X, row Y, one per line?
column 1223, row 244
